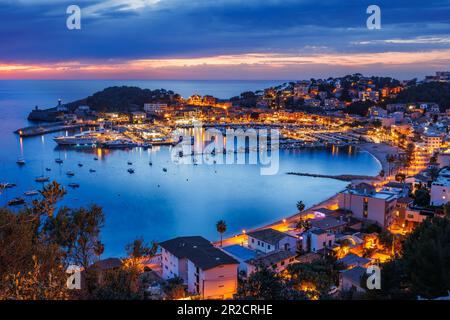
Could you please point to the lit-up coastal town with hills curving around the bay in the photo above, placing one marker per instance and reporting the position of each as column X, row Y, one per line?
column 325, row 249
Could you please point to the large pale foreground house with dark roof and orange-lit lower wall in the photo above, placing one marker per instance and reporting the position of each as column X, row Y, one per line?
column 206, row 270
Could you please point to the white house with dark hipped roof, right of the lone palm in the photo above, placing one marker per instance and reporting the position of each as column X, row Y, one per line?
column 268, row 240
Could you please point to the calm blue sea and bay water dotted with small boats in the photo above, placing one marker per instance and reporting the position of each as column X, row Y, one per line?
column 186, row 200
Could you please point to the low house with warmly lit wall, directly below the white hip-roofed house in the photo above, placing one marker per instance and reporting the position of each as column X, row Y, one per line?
column 276, row 260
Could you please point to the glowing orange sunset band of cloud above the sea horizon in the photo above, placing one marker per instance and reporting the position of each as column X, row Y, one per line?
column 171, row 67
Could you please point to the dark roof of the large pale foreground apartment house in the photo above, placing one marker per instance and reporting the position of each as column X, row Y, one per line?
column 198, row 250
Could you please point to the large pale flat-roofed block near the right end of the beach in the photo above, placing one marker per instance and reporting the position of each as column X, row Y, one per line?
column 367, row 204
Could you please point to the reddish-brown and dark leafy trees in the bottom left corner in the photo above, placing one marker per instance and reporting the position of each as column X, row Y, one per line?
column 37, row 246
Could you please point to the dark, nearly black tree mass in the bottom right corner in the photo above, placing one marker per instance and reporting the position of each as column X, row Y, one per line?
column 422, row 268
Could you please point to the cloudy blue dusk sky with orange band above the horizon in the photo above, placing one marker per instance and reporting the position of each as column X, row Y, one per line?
column 222, row 39
